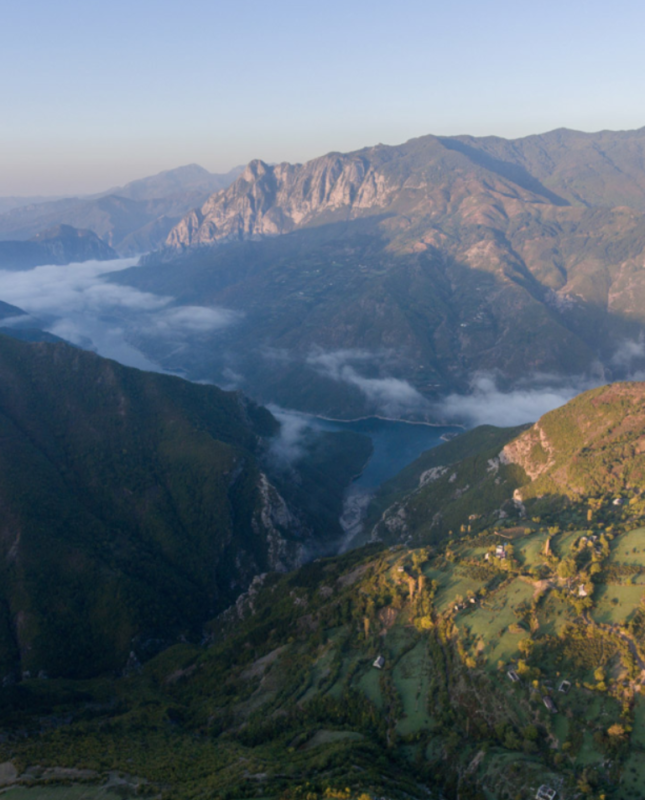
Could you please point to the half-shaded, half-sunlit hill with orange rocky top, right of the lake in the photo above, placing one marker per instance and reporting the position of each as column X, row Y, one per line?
column 591, row 450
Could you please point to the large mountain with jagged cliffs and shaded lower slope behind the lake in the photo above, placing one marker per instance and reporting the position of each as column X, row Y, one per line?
column 407, row 271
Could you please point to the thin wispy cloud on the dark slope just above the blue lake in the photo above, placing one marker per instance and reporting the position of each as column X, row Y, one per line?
column 391, row 396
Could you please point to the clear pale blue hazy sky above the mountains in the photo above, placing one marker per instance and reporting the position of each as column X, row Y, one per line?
column 98, row 93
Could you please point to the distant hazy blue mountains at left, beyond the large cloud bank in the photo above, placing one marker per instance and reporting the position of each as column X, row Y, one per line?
column 133, row 218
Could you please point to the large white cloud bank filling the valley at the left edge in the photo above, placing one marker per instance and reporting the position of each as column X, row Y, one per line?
column 77, row 303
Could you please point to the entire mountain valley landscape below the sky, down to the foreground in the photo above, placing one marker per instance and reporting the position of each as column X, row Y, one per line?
column 292, row 530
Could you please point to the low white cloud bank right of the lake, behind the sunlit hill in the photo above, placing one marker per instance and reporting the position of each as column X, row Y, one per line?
column 487, row 404
